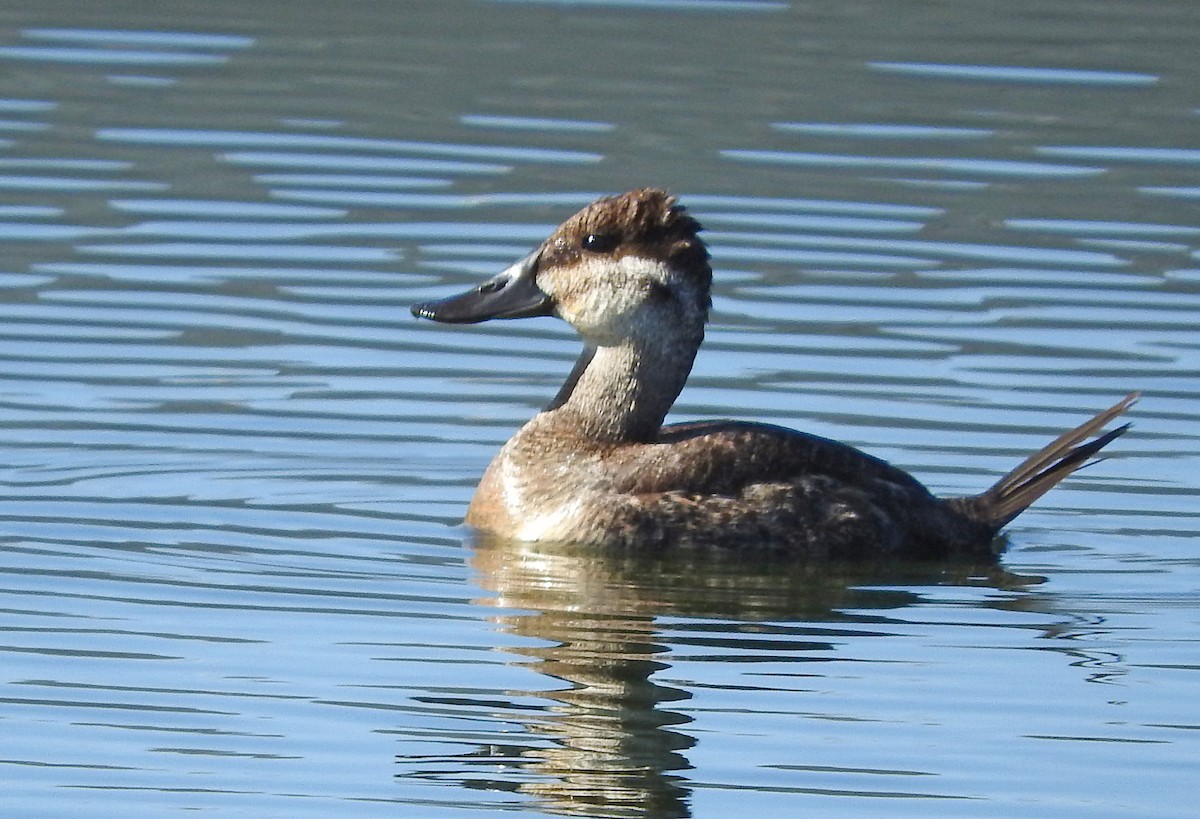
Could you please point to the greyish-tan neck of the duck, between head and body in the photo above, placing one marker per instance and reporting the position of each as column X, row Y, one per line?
column 622, row 393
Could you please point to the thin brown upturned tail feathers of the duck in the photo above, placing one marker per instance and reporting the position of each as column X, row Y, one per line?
column 1043, row 470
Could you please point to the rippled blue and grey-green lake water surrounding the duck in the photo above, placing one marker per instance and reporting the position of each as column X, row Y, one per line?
column 232, row 575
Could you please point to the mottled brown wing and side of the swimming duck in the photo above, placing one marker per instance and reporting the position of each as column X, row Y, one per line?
column 739, row 486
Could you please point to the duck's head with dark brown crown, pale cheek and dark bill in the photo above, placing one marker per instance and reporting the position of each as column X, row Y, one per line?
column 626, row 267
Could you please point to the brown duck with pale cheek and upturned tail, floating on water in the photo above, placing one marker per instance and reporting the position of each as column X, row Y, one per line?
column 599, row 469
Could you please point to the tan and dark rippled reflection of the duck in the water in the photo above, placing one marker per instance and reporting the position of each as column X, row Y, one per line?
column 613, row 744
